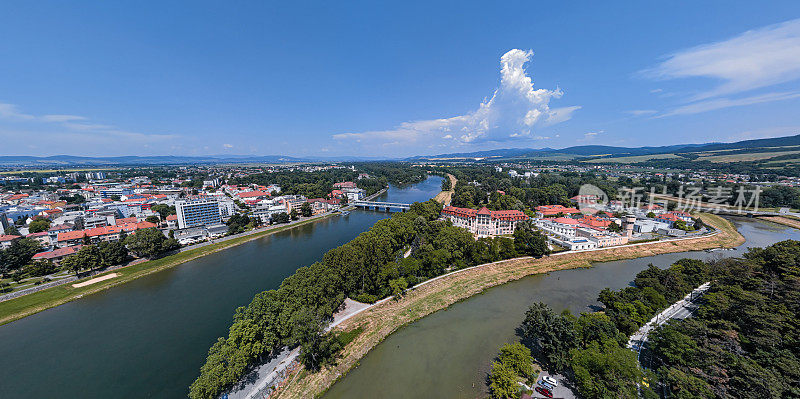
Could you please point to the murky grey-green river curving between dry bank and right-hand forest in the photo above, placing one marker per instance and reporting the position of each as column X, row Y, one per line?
column 448, row 354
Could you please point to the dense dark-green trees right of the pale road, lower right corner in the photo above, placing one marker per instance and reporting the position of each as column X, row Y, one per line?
column 743, row 341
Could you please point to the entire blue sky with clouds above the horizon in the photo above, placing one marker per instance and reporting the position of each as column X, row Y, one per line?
column 410, row 78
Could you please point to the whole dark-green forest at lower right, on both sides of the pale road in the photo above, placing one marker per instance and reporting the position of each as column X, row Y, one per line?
column 742, row 342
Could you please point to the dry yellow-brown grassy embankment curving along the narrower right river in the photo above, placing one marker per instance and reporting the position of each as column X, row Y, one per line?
column 380, row 321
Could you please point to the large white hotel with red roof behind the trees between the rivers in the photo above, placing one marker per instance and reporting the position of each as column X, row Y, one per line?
column 483, row 222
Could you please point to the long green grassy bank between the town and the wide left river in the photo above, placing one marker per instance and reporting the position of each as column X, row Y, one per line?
column 17, row 308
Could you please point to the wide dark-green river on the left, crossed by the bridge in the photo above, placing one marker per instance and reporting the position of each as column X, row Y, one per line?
column 148, row 338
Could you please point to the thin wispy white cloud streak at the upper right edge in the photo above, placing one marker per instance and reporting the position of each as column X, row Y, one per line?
column 754, row 59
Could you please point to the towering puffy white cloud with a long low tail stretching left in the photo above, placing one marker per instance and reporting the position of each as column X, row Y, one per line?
column 512, row 113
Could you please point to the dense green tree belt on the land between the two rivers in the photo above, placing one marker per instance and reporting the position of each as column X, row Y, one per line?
column 372, row 265
